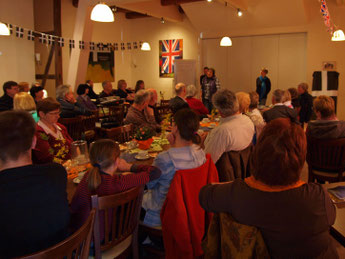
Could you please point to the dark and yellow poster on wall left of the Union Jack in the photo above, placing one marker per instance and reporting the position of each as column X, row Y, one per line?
column 100, row 67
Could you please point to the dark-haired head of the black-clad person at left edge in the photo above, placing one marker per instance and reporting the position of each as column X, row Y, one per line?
column 17, row 130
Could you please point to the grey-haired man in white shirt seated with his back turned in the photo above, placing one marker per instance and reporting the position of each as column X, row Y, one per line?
column 235, row 131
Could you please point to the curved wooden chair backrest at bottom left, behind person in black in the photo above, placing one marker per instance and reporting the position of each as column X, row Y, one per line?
column 75, row 246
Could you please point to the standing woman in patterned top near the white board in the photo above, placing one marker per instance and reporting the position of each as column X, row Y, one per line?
column 210, row 85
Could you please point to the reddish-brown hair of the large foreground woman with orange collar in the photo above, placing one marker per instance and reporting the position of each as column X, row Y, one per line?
column 280, row 153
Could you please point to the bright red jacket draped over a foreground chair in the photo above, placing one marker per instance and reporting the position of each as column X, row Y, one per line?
column 183, row 219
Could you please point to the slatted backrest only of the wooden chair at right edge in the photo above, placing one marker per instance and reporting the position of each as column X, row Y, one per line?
column 326, row 154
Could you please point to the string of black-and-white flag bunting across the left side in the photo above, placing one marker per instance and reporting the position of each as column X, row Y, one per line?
column 49, row 39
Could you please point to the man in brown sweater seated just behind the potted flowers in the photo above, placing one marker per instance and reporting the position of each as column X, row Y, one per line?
column 136, row 115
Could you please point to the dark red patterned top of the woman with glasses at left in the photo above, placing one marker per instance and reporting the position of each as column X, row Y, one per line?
column 49, row 149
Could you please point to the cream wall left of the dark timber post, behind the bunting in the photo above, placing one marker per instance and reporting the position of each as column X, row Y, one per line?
column 17, row 55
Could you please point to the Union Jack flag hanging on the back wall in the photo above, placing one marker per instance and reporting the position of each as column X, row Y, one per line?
column 169, row 50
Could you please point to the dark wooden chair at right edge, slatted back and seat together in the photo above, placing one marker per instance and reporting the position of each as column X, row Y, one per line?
column 326, row 159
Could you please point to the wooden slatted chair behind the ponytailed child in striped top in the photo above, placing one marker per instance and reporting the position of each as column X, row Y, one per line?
column 121, row 219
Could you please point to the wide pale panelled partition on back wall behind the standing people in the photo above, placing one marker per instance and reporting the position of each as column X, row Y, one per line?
column 238, row 66
